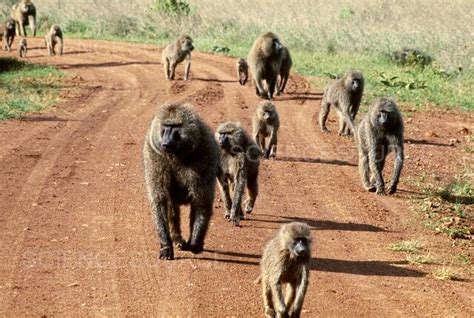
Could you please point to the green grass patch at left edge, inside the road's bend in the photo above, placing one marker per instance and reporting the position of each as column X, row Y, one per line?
column 26, row 87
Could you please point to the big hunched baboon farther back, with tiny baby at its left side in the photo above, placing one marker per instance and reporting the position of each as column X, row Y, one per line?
column 264, row 61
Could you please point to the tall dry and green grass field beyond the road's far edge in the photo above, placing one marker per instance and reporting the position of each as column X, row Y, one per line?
column 414, row 51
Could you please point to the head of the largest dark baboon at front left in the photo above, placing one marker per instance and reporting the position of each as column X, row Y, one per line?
column 177, row 132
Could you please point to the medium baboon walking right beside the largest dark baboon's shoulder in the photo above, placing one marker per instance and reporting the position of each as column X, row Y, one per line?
column 238, row 167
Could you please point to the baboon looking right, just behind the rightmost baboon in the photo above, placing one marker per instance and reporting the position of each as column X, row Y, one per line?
column 345, row 95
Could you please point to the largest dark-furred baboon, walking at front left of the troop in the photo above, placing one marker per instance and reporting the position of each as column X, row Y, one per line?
column 181, row 160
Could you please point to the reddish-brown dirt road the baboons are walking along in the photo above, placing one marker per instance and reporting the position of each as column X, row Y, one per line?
column 77, row 236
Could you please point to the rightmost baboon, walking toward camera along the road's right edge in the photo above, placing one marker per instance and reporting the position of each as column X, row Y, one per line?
column 380, row 131
